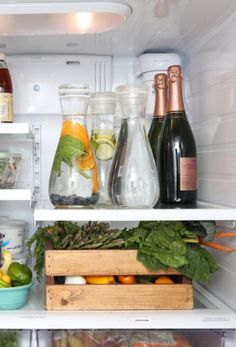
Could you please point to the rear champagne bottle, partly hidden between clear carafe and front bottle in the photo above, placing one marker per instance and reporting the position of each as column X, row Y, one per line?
column 160, row 85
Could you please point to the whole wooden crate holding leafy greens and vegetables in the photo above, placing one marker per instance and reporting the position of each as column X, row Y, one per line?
column 109, row 297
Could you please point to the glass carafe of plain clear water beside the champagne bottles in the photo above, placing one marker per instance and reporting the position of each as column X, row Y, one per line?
column 133, row 180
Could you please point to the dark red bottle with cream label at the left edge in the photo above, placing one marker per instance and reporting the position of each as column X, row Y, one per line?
column 6, row 91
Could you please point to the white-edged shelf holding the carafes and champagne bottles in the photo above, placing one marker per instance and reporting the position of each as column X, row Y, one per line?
column 202, row 212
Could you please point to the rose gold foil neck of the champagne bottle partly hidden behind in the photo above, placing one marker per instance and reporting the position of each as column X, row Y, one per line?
column 160, row 85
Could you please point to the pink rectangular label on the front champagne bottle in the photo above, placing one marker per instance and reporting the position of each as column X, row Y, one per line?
column 188, row 174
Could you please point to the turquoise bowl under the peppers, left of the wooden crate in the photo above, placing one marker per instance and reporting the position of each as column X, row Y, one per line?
column 14, row 298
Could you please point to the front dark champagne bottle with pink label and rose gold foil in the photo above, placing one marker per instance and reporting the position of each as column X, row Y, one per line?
column 177, row 160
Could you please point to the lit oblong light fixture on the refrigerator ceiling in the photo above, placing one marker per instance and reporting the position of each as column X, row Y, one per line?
column 61, row 18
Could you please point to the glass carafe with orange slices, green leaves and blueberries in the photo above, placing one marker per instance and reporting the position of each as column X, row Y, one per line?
column 74, row 177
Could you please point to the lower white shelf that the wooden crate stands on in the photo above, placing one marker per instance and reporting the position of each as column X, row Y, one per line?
column 209, row 313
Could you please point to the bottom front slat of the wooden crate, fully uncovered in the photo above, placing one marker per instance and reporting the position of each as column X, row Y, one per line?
column 119, row 297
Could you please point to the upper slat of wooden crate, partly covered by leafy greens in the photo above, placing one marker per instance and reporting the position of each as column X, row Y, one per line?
column 96, row 262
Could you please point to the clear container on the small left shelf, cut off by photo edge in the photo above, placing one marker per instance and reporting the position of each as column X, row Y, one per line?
column 9, row 163
